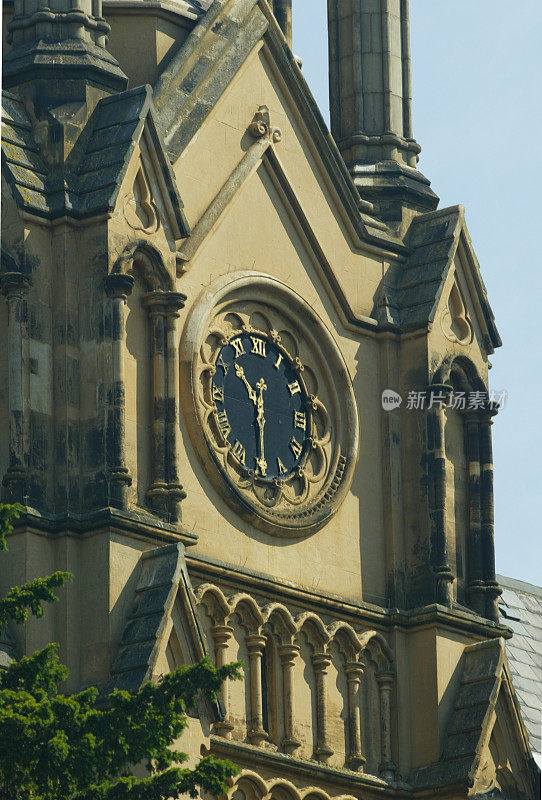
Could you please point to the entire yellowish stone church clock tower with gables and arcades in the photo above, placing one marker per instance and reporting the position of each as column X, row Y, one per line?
column 244, row 394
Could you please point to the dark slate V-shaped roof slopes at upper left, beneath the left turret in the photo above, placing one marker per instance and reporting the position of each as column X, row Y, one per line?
column 92, row 179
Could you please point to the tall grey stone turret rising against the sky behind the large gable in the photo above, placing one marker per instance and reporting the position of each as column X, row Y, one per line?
column 371, row 102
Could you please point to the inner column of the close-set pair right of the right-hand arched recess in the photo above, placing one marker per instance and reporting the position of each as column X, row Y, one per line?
column 476, row 586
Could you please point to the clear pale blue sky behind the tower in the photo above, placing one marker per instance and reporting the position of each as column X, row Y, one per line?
column 477, row 75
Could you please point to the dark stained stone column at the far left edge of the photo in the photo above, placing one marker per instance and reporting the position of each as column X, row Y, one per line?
column 14, row 286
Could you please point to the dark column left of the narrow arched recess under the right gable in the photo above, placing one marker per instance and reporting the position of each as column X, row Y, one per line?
column 444, row 576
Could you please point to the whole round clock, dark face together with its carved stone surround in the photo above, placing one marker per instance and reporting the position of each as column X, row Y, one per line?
column 269, row 403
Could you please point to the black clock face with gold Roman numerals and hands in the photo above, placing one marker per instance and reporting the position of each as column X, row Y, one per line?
column 262, row 408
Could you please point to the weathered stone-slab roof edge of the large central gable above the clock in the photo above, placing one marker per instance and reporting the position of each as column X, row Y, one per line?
column 204, row 66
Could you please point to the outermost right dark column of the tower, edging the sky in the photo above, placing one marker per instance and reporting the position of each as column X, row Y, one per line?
column 493, row 590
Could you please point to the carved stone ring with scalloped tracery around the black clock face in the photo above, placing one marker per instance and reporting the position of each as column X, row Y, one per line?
column 254, row 303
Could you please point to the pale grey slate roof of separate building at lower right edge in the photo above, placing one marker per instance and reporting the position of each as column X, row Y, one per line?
column 521, row 610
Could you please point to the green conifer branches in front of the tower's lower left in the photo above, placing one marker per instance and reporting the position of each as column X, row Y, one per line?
column 83, row 746
